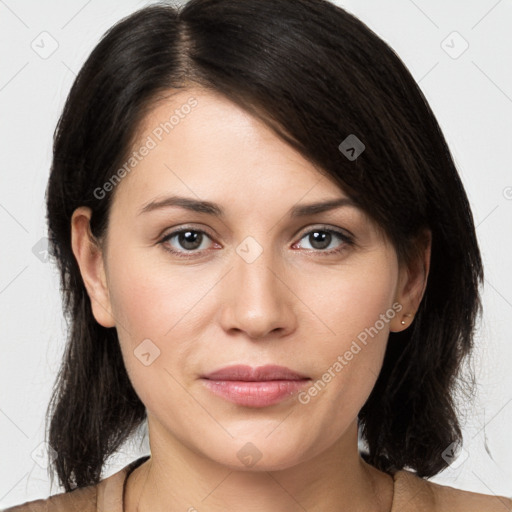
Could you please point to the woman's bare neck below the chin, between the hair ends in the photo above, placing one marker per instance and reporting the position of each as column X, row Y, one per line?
column 175, row 478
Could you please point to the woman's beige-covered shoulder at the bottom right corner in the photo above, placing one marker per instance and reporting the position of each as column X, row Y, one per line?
column 413, row 493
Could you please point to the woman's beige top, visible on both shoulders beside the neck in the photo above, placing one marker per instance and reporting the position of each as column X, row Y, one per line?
column 411, row 494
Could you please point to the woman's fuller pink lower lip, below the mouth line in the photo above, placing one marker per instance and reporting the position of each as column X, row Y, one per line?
column 257, row 393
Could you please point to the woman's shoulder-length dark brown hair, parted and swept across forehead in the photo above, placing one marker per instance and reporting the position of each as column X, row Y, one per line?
column 315, row 74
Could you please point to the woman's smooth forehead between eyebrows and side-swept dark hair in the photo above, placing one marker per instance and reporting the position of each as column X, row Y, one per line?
column 199, row 143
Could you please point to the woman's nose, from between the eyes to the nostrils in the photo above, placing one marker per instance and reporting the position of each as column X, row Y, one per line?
column 257, row 300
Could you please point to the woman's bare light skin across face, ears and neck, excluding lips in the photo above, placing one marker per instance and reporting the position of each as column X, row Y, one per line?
column 293, row 305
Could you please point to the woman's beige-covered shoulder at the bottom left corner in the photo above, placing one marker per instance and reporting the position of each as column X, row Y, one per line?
column 78, row 500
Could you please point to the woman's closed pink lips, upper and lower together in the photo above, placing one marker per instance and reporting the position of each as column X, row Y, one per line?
column 259, row 386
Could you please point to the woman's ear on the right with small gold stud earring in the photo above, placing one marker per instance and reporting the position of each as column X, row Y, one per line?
column 412, row 283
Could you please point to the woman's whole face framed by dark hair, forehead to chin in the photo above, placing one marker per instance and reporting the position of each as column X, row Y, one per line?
column 257, row 284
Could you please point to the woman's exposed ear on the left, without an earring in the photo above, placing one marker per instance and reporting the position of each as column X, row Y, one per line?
column 89, row 256
